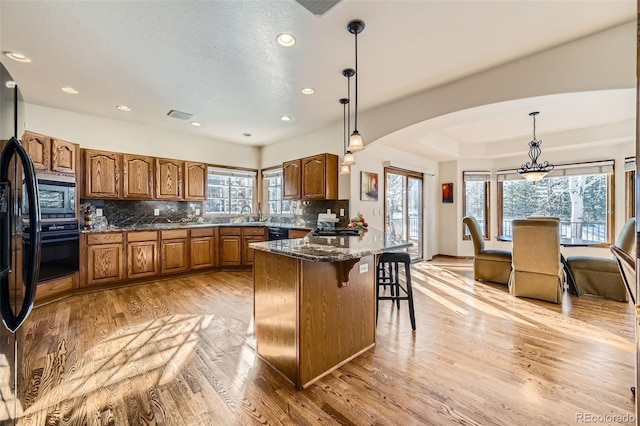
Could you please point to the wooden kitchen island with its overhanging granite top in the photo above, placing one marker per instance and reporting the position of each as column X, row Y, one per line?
column 315, row 302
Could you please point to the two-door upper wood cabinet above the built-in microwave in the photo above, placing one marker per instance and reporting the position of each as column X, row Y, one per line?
column 49, row 154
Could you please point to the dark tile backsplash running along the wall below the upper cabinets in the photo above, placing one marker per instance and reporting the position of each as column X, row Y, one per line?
column 130, row 213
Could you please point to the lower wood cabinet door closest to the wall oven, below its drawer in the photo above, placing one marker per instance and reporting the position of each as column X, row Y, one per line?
column 105, row 263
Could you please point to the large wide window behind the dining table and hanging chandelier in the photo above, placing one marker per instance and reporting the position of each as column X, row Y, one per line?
column 579, row 194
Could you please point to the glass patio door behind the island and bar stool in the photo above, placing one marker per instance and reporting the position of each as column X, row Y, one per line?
column 403, row 208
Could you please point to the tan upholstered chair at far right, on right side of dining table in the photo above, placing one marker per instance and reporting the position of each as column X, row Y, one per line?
column 600, row 276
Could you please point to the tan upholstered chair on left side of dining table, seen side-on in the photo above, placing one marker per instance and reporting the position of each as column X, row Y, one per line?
column 488, row 265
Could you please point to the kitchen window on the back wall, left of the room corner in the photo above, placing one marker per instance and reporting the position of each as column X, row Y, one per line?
column 230, row 191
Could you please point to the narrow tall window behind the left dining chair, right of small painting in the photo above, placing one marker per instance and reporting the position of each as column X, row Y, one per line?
column 476, row 200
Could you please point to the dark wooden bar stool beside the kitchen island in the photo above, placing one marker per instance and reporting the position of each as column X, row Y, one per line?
column 387, row 274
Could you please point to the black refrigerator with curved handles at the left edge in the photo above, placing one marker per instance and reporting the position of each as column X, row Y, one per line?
column 19, row 253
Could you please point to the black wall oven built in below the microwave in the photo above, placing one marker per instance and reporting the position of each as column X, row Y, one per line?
column 60, row 252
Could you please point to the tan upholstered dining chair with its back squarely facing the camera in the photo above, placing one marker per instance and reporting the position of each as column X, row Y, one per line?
column 537, row 269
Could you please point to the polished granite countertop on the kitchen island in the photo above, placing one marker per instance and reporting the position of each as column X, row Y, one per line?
column 334, row 249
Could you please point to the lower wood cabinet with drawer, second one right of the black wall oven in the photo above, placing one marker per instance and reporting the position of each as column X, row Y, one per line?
column 142, row 254
